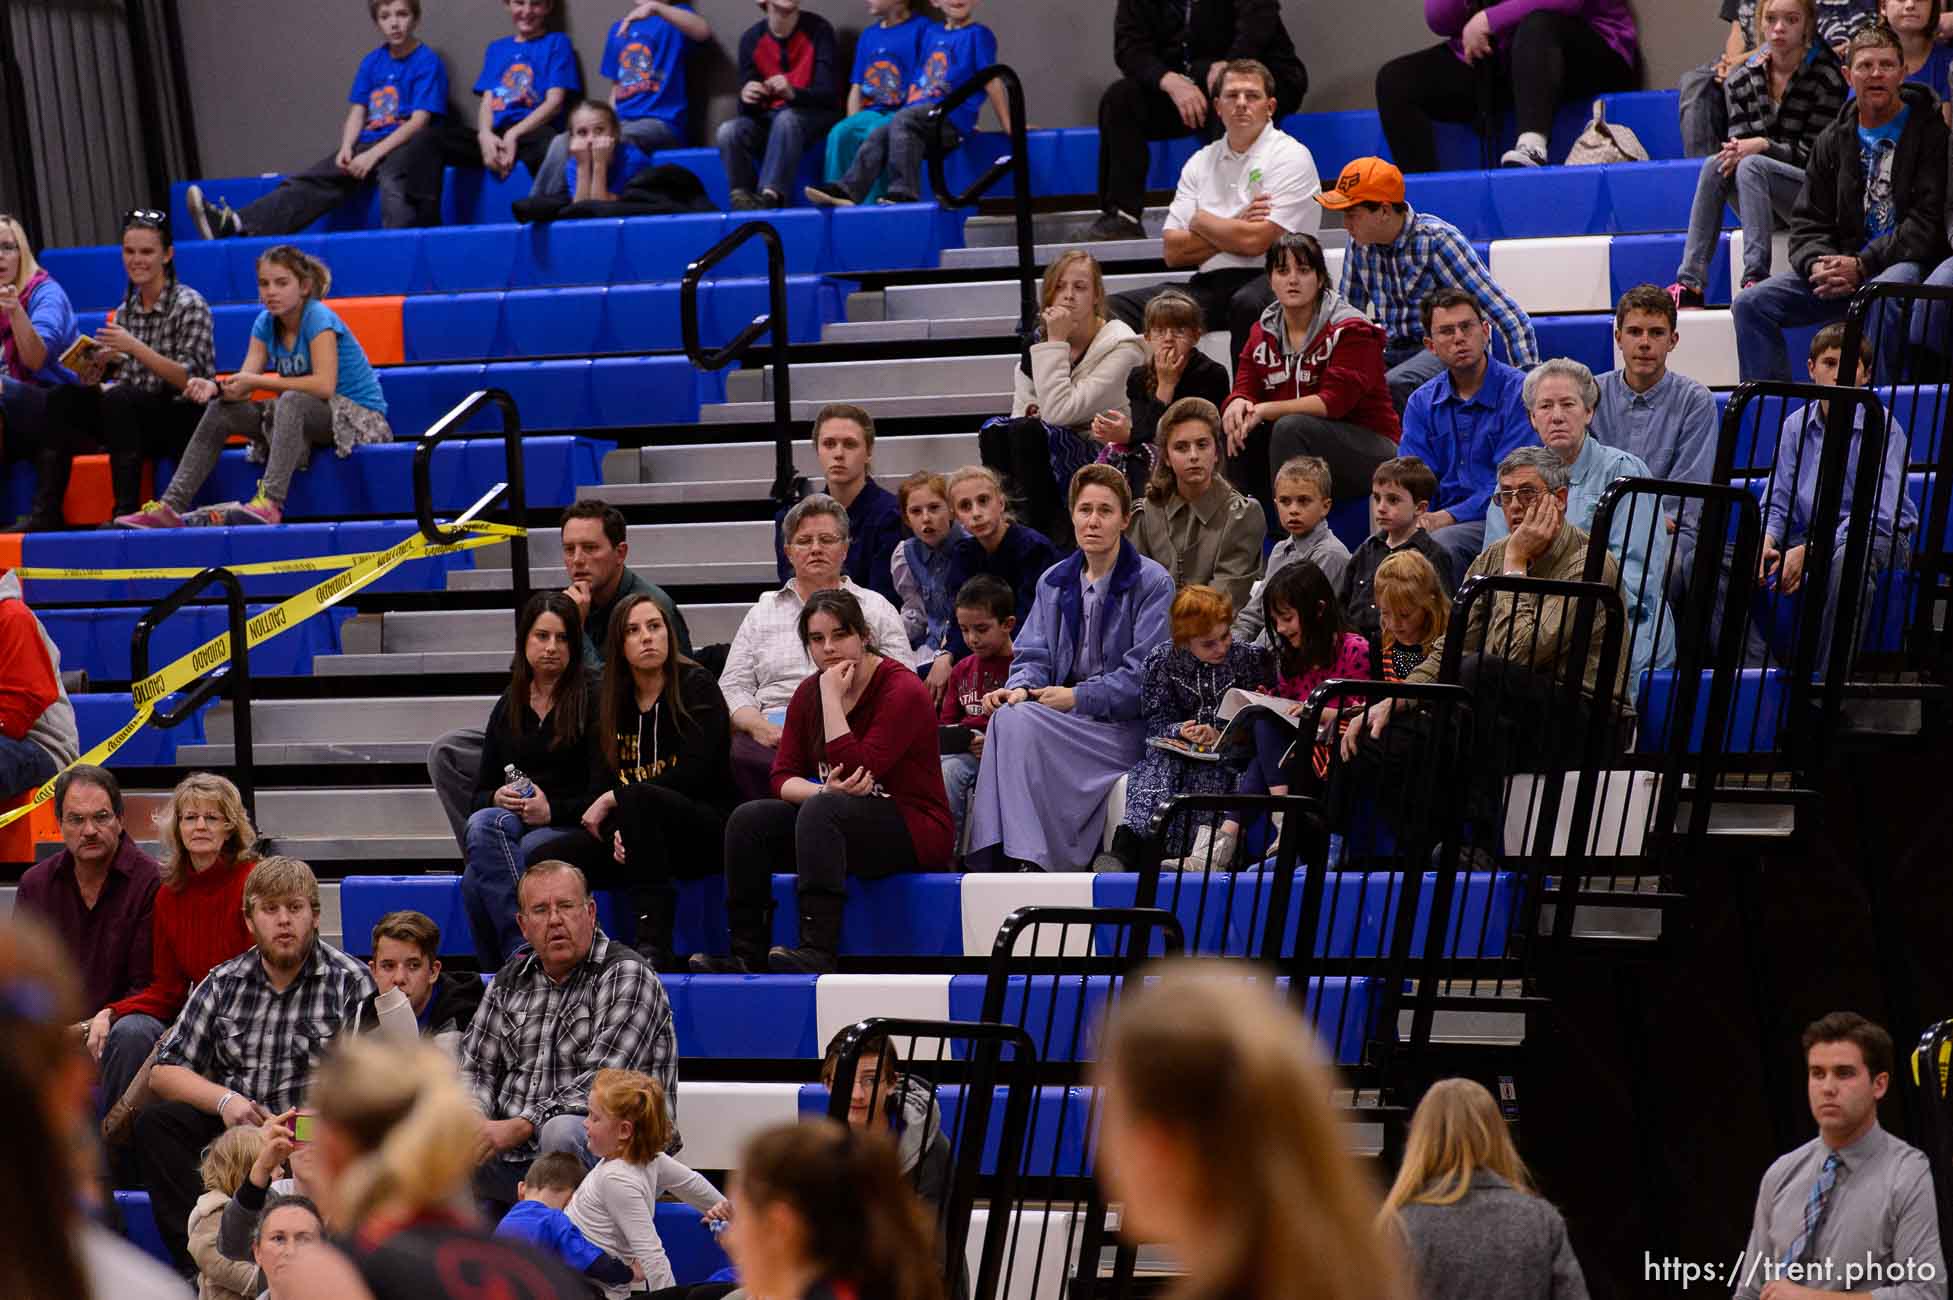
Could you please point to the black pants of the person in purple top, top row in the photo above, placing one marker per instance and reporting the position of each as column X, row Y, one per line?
column 1552, row 58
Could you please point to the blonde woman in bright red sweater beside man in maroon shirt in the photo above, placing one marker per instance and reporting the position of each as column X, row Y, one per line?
column 208, row 850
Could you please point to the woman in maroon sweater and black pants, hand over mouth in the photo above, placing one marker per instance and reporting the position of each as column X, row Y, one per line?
column 858, row 790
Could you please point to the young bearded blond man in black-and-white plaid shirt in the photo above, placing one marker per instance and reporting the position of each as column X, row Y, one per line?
column 247, row 1041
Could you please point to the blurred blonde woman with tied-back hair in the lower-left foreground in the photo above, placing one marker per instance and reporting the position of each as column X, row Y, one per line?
column 397, row 1139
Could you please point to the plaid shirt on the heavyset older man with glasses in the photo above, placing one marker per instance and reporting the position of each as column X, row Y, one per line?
column 536, row 1045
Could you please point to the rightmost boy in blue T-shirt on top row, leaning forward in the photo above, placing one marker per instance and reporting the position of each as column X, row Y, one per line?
column 950, row 56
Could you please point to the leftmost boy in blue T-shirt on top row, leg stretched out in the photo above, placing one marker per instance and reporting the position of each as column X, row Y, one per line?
column 397, row 93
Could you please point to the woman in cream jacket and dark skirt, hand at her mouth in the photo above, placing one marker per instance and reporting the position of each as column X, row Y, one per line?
column 1071, row 378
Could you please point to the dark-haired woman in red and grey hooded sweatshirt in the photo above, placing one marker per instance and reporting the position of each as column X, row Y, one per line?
column 1309, row 384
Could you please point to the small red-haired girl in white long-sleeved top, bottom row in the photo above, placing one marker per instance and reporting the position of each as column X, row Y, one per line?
column 616, row 1205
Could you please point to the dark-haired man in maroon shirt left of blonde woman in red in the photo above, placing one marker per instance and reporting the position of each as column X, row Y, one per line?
column 99, row 893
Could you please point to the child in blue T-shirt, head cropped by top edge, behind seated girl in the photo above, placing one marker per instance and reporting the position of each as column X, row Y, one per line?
column 645, row 61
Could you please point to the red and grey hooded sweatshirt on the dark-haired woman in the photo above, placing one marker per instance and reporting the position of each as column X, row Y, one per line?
column 1341, row 362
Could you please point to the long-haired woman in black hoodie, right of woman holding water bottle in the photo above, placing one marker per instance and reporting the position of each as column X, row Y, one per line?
column 663, row 766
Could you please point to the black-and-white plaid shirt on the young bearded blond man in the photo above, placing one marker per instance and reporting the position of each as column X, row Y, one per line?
column 249, row 1037
